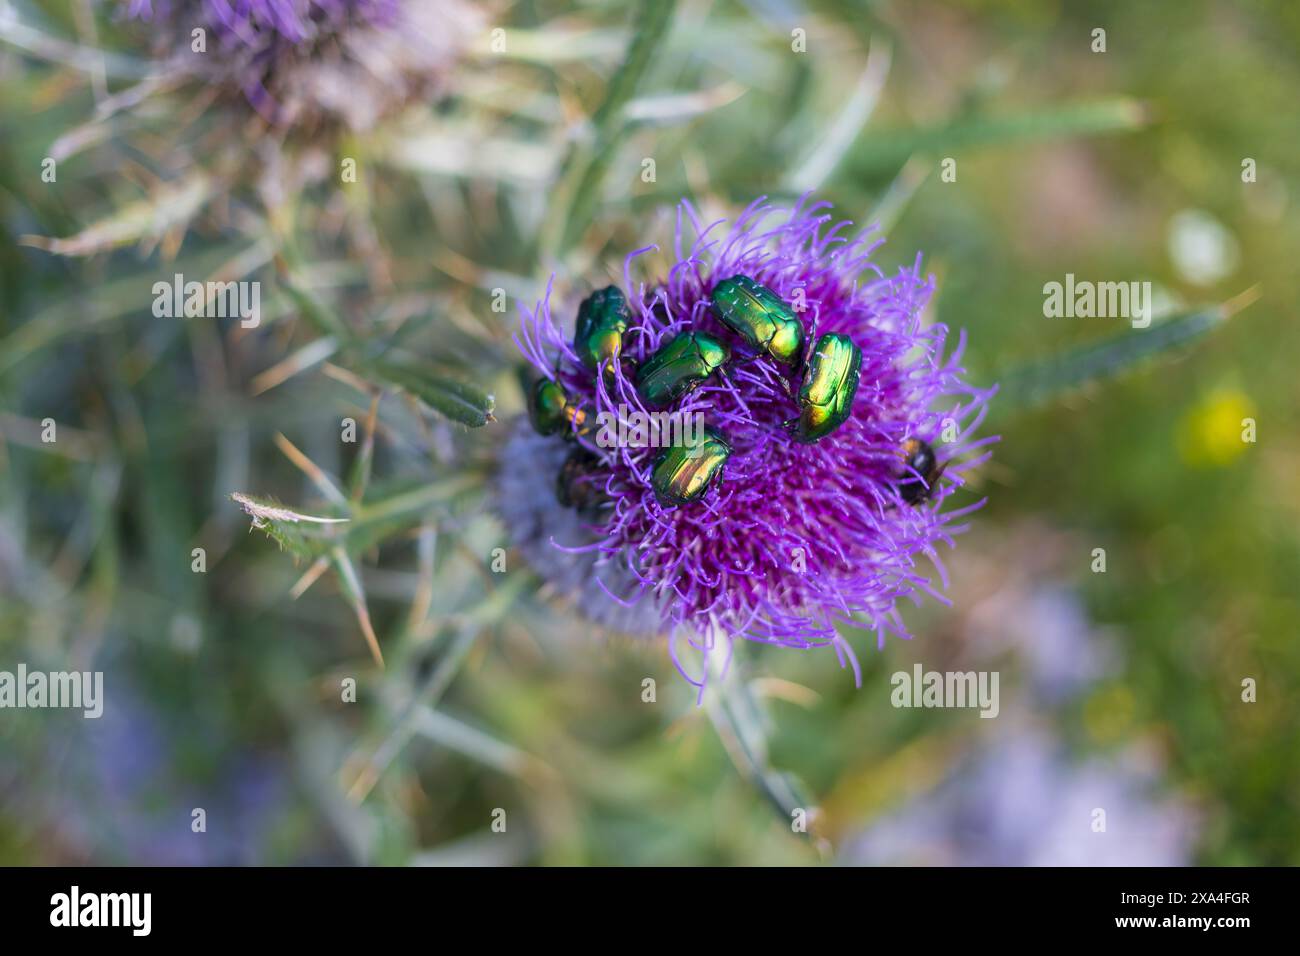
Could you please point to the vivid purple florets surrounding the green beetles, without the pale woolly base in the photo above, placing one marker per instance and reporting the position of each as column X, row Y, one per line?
column 727, row 566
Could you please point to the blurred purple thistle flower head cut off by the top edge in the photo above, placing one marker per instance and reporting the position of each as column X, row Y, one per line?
column 314, row 63
